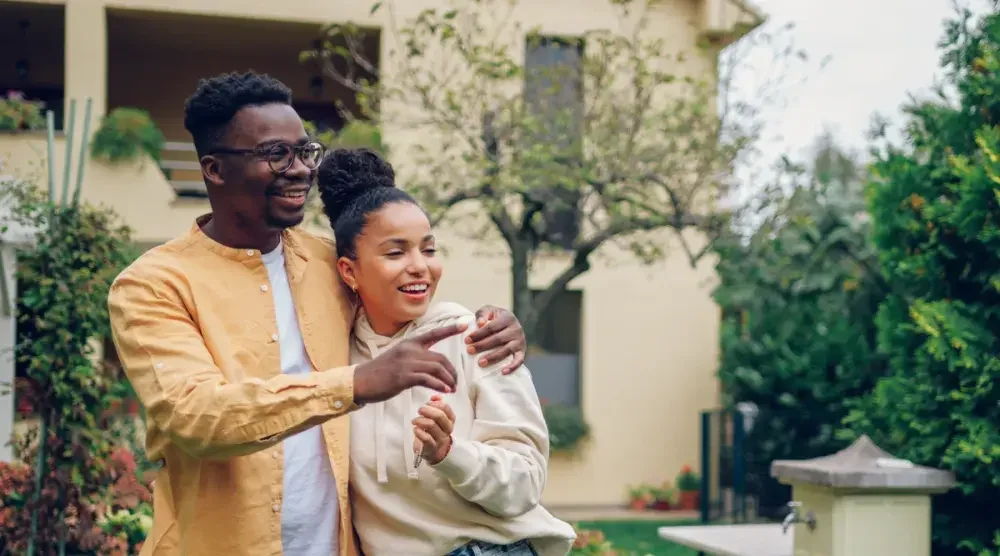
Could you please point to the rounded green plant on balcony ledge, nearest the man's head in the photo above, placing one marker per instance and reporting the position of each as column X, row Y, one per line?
column 125, row 134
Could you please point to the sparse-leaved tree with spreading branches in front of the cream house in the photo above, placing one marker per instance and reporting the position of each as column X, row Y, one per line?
column 578, row 144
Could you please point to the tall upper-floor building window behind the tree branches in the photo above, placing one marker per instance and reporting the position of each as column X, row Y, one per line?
column 553, row 93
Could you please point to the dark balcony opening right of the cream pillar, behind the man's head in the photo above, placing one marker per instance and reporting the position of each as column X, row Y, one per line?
column 155, row 60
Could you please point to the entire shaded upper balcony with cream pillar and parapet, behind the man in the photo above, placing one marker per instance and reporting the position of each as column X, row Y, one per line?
column 152, row 60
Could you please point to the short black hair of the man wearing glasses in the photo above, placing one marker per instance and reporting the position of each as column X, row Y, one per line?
column 209, row 110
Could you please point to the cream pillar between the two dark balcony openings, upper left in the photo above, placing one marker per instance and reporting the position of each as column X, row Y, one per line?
column 86, row 71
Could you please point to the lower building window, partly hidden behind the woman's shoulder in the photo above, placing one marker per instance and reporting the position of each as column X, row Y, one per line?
column 554, row 359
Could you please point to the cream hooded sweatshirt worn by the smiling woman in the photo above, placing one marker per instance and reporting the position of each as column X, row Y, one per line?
column 488, row 487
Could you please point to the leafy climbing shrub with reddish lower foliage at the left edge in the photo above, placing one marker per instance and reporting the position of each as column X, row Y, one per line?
column 76, row 475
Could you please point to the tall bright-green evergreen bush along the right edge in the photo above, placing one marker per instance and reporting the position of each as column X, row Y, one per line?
column 936, row 208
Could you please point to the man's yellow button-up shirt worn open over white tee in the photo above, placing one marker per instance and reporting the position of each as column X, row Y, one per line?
column 194, row 325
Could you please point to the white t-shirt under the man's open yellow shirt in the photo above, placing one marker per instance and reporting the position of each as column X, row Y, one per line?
column 309, row 511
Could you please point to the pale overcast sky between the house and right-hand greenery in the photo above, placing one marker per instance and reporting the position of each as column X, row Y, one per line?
column 879, row 51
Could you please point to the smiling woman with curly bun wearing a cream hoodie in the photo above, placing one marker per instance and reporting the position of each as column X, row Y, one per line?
column 431, row 475
